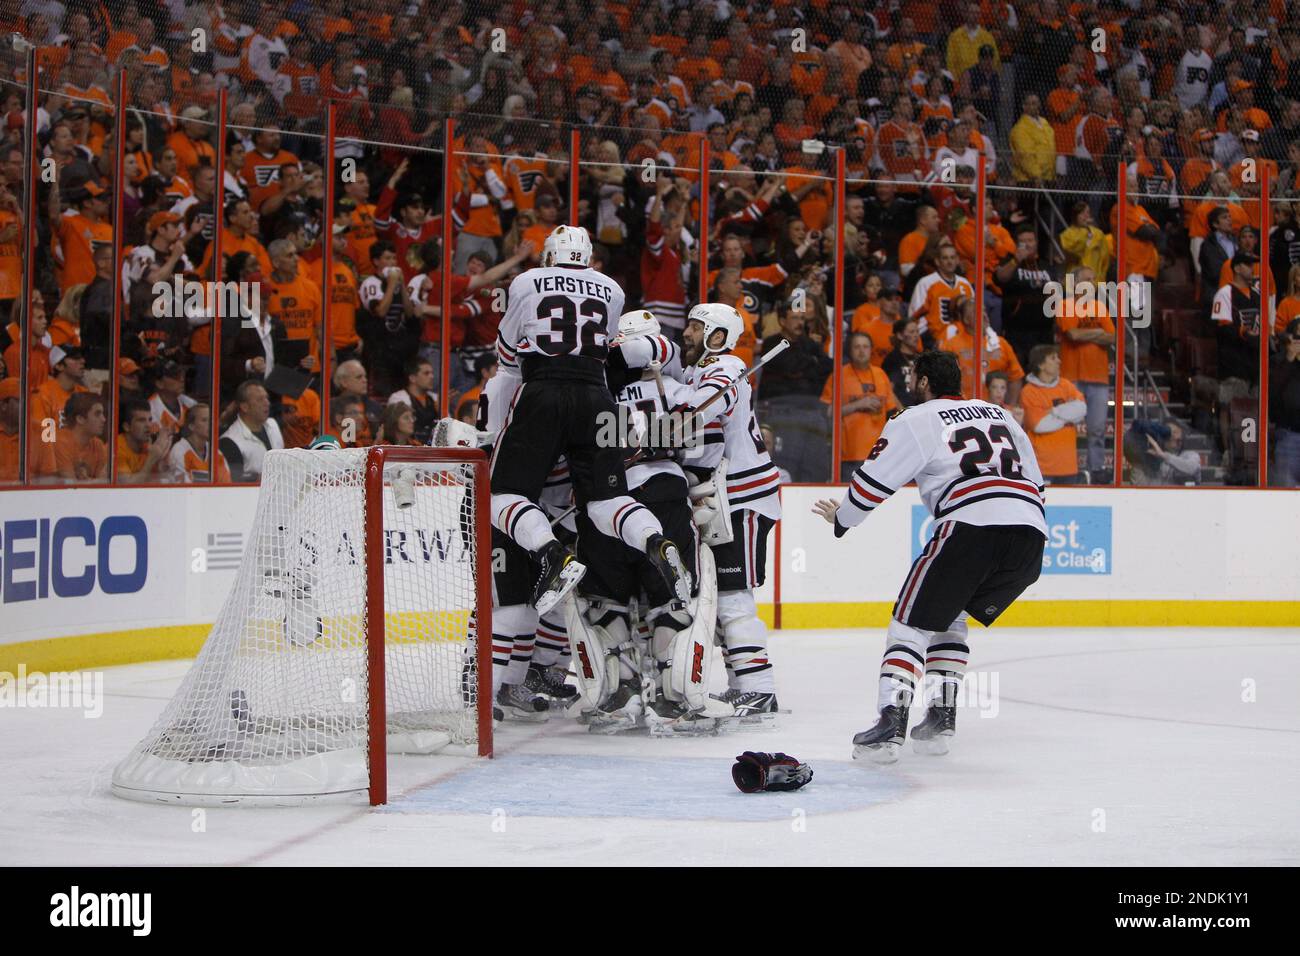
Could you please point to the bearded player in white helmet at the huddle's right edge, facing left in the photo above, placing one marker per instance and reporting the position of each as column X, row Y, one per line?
column 743, row 496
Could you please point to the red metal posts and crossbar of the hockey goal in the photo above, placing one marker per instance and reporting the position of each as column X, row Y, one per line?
column 375, row 464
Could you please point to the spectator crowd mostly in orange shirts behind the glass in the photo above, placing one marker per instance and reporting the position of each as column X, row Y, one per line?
column 1191, row 103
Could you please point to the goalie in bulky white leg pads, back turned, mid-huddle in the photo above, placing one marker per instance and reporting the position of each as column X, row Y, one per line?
column 621, row 686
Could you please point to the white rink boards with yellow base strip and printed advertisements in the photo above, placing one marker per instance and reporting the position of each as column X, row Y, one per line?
column 99, row 577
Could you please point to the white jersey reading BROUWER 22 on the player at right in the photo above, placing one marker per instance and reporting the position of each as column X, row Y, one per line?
column 970, row 460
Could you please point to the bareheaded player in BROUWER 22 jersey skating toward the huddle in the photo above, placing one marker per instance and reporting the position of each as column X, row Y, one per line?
column 977, row 474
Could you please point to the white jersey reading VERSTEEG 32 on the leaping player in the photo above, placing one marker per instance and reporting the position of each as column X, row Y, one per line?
column 560, row 312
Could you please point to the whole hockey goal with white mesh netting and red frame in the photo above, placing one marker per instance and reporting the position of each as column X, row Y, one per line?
column 350, row 633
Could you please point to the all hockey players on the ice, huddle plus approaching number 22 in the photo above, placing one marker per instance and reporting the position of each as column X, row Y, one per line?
column 635, row 551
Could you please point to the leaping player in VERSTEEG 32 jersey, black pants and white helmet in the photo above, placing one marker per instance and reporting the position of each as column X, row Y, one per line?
column 556, row 332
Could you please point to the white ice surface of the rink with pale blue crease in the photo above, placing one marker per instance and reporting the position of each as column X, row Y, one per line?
column 1100, row 747
